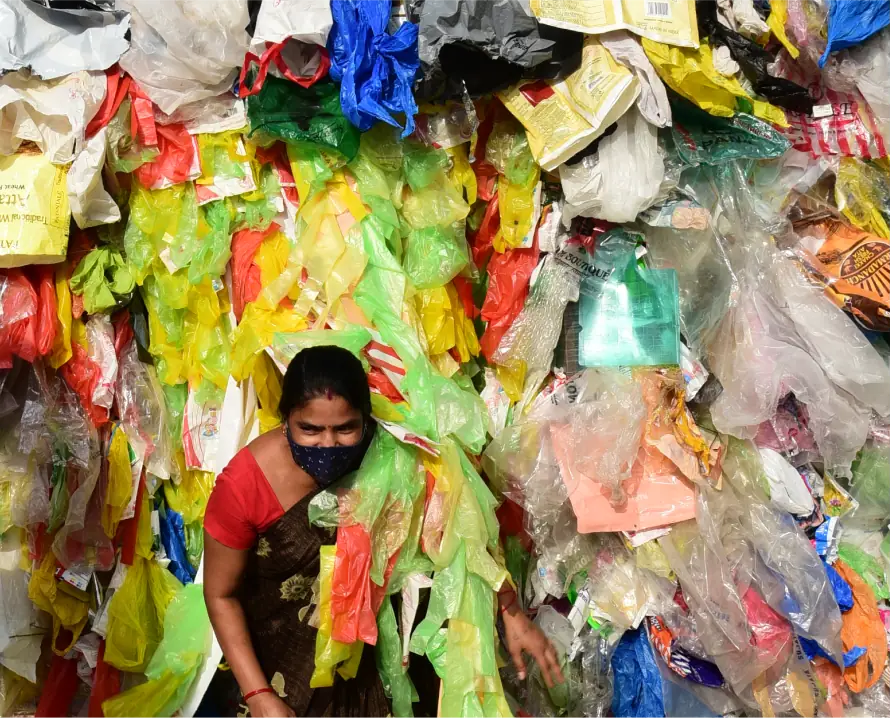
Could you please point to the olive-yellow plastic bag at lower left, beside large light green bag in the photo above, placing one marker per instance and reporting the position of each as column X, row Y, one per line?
column 136, row 615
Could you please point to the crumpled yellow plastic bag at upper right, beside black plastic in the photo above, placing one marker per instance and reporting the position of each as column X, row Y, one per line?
column 692, row 74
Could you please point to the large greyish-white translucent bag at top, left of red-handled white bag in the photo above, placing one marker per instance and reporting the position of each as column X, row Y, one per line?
column 183, row 52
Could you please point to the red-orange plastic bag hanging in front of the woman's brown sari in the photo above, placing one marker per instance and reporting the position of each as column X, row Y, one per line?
column 351, row 610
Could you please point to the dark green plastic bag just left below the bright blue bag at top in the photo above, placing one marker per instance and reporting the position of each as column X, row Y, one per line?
column 300, row 115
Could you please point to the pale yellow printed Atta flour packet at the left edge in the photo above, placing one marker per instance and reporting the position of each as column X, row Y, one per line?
column 34, row 212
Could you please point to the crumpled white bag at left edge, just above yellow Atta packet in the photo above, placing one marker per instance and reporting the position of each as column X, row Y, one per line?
column 51, row 113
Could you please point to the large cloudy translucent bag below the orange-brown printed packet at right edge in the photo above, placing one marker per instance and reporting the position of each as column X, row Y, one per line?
column 783, row 335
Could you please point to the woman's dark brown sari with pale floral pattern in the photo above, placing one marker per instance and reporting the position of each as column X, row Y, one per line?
column 277, row 584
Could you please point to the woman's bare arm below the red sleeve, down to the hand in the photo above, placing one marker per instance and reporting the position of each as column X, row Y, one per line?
column 223, row 569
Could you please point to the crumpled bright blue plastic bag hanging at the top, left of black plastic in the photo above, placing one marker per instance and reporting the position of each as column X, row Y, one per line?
column 375, row 70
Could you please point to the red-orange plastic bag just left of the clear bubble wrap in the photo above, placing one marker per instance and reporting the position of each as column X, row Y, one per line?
column 509, row 275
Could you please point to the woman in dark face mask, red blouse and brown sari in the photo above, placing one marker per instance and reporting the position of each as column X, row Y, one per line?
column 261, row 555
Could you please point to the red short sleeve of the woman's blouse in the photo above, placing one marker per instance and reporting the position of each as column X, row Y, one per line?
column 242, row 504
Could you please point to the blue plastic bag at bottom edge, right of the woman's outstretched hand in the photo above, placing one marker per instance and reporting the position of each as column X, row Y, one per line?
column 638, row 685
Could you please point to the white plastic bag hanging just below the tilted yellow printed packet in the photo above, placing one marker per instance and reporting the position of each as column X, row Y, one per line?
column 632, row 169
